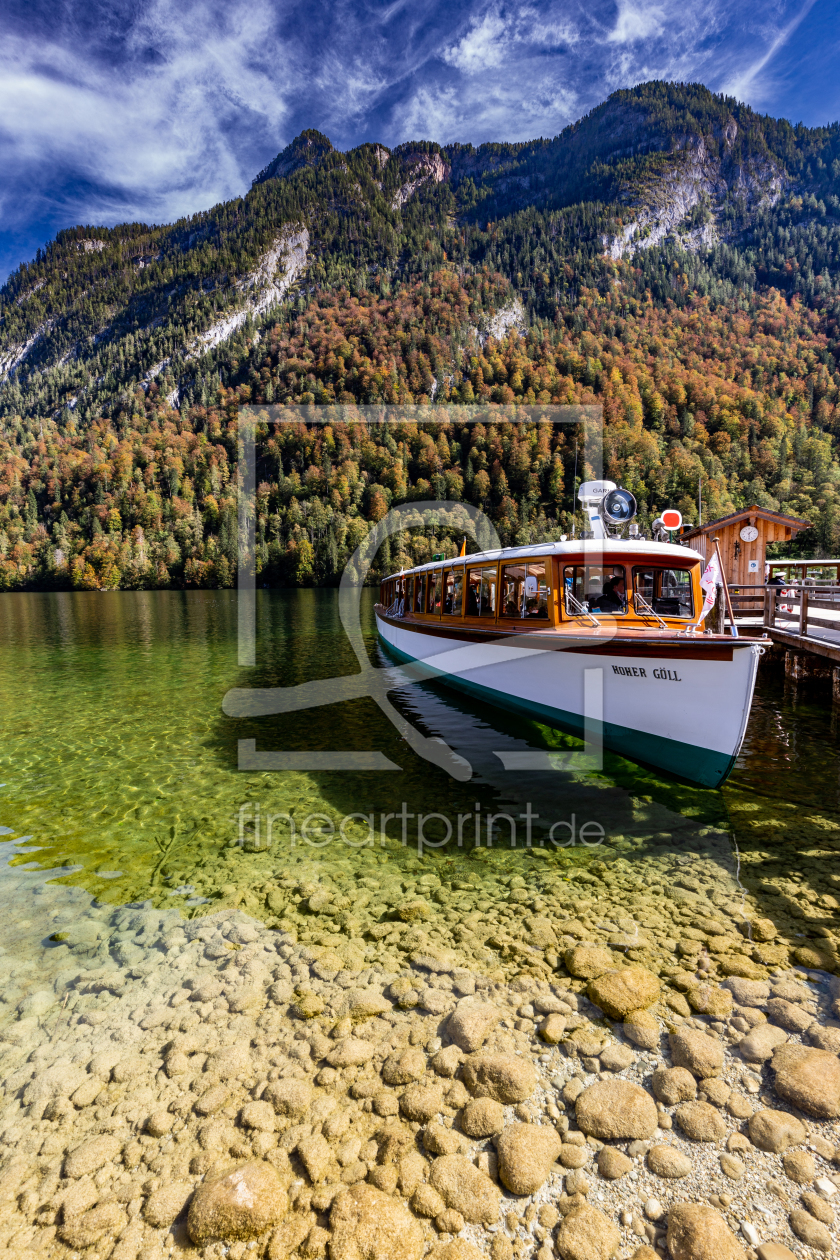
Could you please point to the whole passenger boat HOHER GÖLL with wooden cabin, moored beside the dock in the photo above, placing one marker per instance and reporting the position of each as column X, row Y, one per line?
column 525, row 627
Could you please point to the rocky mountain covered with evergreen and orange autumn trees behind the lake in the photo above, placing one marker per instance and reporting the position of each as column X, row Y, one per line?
column 673, row 255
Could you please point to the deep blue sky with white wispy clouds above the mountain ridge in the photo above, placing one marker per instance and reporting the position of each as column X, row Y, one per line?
column 153, row 109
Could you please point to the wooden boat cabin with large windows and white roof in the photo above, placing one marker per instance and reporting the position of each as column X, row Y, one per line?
column 575, row 584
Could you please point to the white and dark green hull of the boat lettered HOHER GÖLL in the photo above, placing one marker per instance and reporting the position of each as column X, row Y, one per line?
column 682, row 709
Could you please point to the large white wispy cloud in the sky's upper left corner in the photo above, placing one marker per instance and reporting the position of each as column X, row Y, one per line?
column 147, row 133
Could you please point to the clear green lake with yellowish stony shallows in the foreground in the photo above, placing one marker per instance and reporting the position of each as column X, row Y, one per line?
column 183, row 939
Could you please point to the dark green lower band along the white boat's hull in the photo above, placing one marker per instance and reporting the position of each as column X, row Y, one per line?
column 703, row 767
